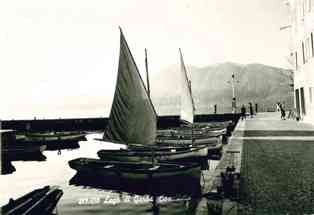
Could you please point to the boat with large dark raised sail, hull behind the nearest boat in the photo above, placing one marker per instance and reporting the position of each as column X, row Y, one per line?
column 133, row 119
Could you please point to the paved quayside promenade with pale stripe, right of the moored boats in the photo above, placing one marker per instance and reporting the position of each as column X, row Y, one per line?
column 277, row 165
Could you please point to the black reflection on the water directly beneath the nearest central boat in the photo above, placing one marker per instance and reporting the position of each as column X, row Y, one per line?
column 187, row 187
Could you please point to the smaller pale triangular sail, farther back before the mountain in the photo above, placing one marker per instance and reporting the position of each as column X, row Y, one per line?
column 187, row 105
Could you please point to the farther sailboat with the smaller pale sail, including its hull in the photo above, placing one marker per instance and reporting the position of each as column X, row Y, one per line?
column 188, row 134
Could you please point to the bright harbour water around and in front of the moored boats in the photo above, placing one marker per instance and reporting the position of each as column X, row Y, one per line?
column 84, row 198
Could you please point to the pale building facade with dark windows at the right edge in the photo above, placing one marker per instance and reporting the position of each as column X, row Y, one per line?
column 302, row 54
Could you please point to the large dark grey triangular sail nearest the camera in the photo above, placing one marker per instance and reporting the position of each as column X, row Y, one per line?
column 132, row 119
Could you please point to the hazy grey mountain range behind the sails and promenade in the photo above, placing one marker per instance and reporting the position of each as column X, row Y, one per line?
column 256, row 83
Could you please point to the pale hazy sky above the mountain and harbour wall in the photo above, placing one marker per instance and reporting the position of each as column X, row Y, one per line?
column 60, row 57
